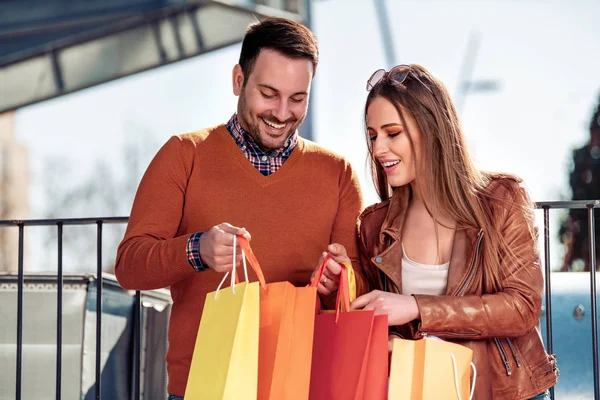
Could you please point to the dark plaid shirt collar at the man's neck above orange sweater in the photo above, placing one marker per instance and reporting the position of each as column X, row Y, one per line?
column 265, row 162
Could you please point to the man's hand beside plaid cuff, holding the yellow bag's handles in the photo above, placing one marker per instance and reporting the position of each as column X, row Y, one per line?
column 216, row 247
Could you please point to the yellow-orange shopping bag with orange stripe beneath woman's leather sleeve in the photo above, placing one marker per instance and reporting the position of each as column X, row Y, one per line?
column 431, row 369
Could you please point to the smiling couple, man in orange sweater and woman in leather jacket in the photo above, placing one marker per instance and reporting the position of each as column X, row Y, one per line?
column 450, row 251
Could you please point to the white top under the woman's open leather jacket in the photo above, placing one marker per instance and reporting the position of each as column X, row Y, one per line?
column 420, row 278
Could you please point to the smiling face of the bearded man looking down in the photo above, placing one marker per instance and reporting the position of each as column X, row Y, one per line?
column 273, row 101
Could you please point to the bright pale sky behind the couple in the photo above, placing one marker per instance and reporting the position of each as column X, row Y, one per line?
column 543, row 56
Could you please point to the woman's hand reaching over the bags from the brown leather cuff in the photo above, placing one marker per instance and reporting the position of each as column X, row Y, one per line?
column 399, row 308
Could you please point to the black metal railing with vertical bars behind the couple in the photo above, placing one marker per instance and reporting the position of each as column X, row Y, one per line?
column 100, row 222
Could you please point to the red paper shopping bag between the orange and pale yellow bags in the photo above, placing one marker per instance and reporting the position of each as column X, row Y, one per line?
column 350, row 352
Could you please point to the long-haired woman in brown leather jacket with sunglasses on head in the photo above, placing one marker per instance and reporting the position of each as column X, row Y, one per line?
column 450, row 251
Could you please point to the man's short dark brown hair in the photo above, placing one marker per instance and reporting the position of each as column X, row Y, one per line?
column 285, row 36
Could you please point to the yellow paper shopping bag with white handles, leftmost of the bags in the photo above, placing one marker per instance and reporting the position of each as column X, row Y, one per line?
column 225, row 359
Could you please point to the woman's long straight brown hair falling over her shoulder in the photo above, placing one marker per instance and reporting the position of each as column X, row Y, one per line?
column 448, row 181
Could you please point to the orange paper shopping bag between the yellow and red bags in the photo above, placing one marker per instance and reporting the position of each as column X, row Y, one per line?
column 287, row 316
